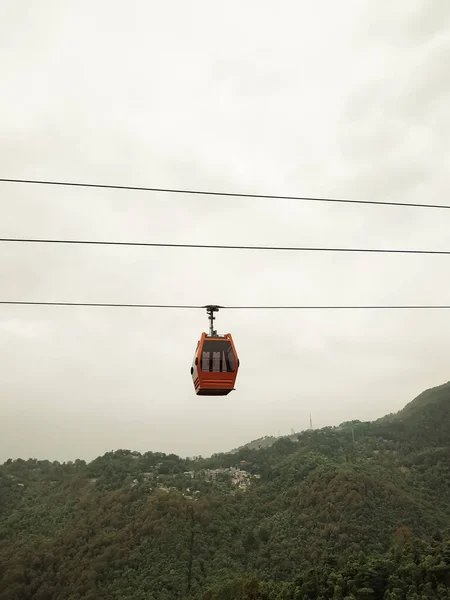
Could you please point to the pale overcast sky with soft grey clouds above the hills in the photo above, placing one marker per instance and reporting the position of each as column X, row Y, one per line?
column 344, row 99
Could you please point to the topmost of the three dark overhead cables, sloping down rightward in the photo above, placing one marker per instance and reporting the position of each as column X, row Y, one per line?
column 220, row 193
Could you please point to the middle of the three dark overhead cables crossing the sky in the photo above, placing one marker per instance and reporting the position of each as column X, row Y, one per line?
column 225, row 246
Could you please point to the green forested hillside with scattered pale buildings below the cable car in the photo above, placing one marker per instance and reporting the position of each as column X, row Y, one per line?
column 356, row 511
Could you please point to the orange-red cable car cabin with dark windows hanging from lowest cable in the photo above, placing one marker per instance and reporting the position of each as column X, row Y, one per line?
column 215, row 365
